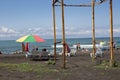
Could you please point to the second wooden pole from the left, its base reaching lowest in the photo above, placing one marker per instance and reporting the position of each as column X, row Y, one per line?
column 63, row 35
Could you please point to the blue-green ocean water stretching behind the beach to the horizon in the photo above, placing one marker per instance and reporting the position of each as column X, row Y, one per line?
column 10, row 46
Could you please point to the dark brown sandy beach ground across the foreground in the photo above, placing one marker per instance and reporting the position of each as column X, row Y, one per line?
column 79, row 67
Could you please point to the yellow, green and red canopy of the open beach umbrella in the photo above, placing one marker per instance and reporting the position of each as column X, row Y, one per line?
column 30, row 38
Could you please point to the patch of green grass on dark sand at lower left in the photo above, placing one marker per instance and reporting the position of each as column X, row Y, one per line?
column 26, row 67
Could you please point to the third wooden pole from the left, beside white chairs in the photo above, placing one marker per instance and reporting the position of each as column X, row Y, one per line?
column 93, row 31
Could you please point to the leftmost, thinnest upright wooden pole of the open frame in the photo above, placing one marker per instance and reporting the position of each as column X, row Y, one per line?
column 54, row 27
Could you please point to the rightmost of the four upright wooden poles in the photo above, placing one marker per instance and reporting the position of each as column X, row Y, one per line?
column 111, row 36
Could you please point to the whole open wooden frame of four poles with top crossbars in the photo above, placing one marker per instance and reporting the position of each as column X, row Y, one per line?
column 92, row 4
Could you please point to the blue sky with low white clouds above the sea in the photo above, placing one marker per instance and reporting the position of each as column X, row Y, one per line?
column 23, row 17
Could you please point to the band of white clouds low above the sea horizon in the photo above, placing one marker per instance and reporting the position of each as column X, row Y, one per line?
column 70, row 32
